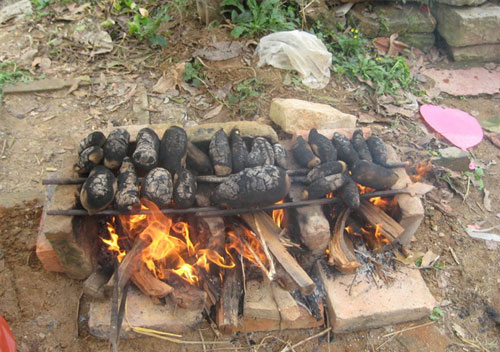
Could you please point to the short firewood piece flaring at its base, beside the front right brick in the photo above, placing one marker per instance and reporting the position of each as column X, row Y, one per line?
column 340, row 254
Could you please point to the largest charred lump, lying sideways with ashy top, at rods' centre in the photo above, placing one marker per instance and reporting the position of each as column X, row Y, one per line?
column 253, row 187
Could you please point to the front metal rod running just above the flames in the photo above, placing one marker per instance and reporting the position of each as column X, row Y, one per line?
column 213, row 211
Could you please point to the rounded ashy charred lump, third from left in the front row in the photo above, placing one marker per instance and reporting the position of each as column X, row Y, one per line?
column 157, row 187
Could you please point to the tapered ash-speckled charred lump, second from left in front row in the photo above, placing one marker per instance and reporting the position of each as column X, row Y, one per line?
column 127, row 198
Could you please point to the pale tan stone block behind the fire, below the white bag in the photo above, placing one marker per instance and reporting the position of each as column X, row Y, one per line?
column 293, row 115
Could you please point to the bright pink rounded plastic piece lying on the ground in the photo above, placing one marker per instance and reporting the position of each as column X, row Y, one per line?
column 455, row 125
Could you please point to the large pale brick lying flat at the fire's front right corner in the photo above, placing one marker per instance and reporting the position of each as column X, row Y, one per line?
column 365, row 305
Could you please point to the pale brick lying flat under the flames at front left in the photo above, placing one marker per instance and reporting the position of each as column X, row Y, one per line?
column 142, row 312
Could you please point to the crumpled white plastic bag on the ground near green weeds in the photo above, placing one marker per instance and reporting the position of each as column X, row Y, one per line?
column 299, row 51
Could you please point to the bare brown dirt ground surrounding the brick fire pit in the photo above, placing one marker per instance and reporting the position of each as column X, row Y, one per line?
column 38, row 129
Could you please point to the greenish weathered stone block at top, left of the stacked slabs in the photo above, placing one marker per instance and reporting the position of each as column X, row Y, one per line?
column 386, row 19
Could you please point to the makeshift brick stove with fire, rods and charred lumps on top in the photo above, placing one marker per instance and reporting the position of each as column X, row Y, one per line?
column 263, row 266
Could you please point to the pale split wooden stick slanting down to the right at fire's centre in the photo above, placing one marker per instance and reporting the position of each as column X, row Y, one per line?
column 270, row 233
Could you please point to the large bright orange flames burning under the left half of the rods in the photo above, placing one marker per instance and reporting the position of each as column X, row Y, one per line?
column 171, row 249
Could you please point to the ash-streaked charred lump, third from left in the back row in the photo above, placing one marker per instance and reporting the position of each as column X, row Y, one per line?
column 147, row 150
